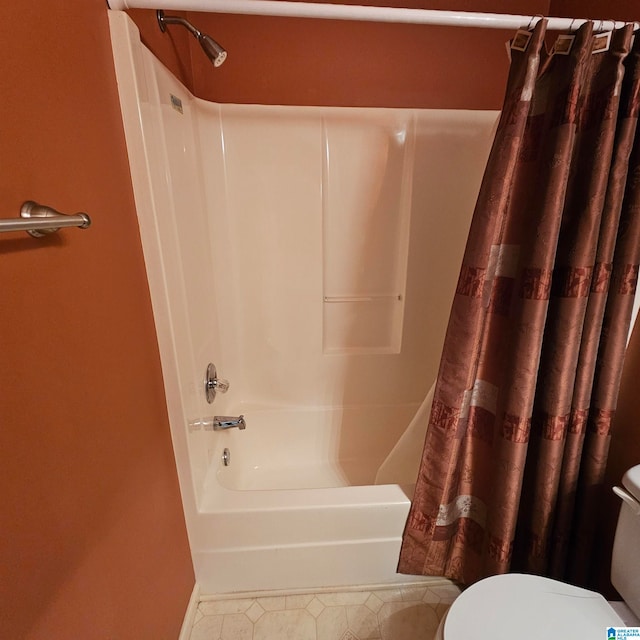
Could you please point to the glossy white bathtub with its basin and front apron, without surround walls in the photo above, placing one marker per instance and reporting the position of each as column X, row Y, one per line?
column 305, row 514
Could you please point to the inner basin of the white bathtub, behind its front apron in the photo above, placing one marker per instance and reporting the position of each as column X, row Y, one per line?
column 307, row 448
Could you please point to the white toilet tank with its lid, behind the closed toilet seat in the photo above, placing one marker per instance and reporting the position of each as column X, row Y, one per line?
column 625, row 560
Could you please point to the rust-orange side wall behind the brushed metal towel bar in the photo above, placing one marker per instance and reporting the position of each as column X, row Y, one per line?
column 93, row 542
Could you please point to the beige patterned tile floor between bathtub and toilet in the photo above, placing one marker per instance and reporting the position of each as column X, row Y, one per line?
column 402, row 613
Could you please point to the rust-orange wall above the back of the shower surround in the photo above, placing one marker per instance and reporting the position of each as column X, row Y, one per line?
column 324, row 62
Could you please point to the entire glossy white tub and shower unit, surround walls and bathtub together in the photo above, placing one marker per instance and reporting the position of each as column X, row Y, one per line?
column 311, row 254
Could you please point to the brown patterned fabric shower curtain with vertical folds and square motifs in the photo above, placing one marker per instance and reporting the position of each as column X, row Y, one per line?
column 519, row 431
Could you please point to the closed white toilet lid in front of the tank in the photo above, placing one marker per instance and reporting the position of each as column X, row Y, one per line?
column 528, row 608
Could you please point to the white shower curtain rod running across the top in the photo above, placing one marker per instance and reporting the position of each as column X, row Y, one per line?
column 286, row 8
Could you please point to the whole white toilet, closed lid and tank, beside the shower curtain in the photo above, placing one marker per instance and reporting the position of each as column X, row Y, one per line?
column 529, row 607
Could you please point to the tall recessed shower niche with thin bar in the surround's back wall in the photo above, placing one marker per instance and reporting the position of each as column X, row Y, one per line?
column 365, row 231
